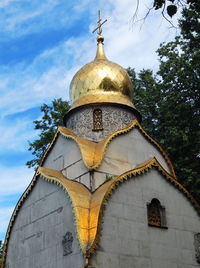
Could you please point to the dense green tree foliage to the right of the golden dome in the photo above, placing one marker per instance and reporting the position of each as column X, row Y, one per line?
column 172, row 115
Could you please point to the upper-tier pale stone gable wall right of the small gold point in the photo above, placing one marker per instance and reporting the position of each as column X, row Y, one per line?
column 128, row 150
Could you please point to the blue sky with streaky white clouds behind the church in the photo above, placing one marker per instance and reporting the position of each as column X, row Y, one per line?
column 42, row 45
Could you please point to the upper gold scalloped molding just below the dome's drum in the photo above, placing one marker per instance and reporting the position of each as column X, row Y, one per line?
column 93, row 152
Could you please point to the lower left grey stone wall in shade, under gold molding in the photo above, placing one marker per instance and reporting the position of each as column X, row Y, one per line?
column 36, row 238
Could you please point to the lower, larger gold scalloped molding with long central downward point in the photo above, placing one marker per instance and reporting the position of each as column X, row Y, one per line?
column 88, row 224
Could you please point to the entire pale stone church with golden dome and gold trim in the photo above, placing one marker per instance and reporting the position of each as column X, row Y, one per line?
column 105, row 194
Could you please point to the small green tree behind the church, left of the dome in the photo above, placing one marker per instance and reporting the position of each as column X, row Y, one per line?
column 52, row 117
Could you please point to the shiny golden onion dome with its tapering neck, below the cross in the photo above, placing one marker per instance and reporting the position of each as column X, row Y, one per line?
column 101, row 81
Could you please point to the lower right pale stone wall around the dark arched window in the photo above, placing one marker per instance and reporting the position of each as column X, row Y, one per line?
column 127, row 241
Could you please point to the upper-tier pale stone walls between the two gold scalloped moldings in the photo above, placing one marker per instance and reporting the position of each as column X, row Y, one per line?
column 123, row 153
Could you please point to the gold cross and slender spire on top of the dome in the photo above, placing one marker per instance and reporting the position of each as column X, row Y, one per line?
column 100, row 55
